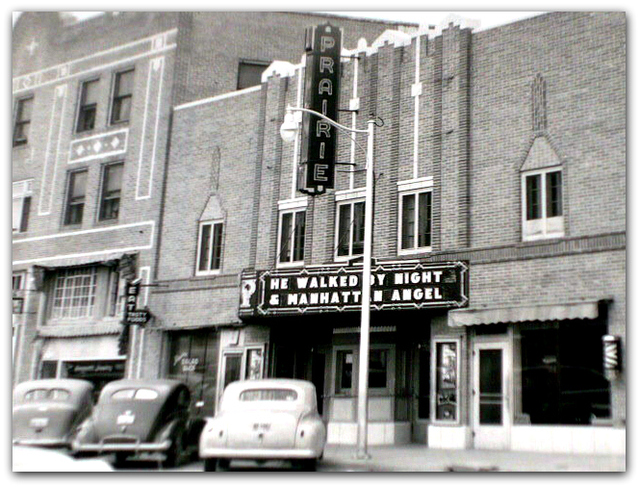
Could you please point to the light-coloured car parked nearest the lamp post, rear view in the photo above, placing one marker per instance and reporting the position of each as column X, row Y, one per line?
column 265, row 419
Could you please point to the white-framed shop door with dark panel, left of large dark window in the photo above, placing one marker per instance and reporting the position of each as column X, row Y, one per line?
column 491, row 421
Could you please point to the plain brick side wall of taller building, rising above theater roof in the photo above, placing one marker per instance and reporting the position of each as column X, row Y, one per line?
column 217, row 41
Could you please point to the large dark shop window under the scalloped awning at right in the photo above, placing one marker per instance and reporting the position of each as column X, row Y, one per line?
column 562, row 373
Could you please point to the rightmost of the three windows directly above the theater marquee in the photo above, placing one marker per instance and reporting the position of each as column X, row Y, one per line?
column 415, row 221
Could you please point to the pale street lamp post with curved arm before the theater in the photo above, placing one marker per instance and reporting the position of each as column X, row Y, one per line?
column 288, row 132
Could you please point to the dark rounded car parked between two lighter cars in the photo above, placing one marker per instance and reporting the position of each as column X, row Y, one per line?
column 144, row 418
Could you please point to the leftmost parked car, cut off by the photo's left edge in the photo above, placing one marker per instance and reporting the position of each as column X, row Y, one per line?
column 47, row 412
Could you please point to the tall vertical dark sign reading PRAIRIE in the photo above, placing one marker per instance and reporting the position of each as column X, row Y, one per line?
column 322, row 77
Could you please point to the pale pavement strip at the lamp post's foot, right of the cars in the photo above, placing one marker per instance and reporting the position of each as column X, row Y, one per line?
column 419, row 458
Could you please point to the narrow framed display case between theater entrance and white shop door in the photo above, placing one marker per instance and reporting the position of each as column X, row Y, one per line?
column 446, row 381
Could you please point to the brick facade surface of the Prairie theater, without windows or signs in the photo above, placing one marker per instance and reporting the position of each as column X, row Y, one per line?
column 471, row 97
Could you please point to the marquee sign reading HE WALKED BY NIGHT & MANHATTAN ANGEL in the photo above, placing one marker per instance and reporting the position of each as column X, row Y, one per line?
column 394, row 285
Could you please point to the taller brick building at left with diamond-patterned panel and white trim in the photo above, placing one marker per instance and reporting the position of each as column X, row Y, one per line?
column 92, row 104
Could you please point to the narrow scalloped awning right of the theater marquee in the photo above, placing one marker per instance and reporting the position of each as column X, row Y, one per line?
column 518, row 314
